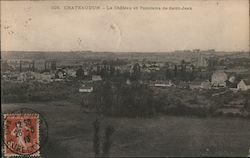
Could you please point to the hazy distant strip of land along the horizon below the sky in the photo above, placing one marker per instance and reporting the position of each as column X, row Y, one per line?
column 77, row 55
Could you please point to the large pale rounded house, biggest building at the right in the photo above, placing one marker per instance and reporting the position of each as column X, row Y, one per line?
column 218, row 79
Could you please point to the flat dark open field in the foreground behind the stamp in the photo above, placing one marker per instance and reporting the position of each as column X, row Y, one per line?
column 71, row 132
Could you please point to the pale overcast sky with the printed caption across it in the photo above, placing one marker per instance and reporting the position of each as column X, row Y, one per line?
column 34, row 26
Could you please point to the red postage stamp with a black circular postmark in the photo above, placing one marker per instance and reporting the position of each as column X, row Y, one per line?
column 21, row 135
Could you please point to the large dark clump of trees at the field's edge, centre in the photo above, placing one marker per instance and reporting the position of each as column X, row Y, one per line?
column 118, row 99
